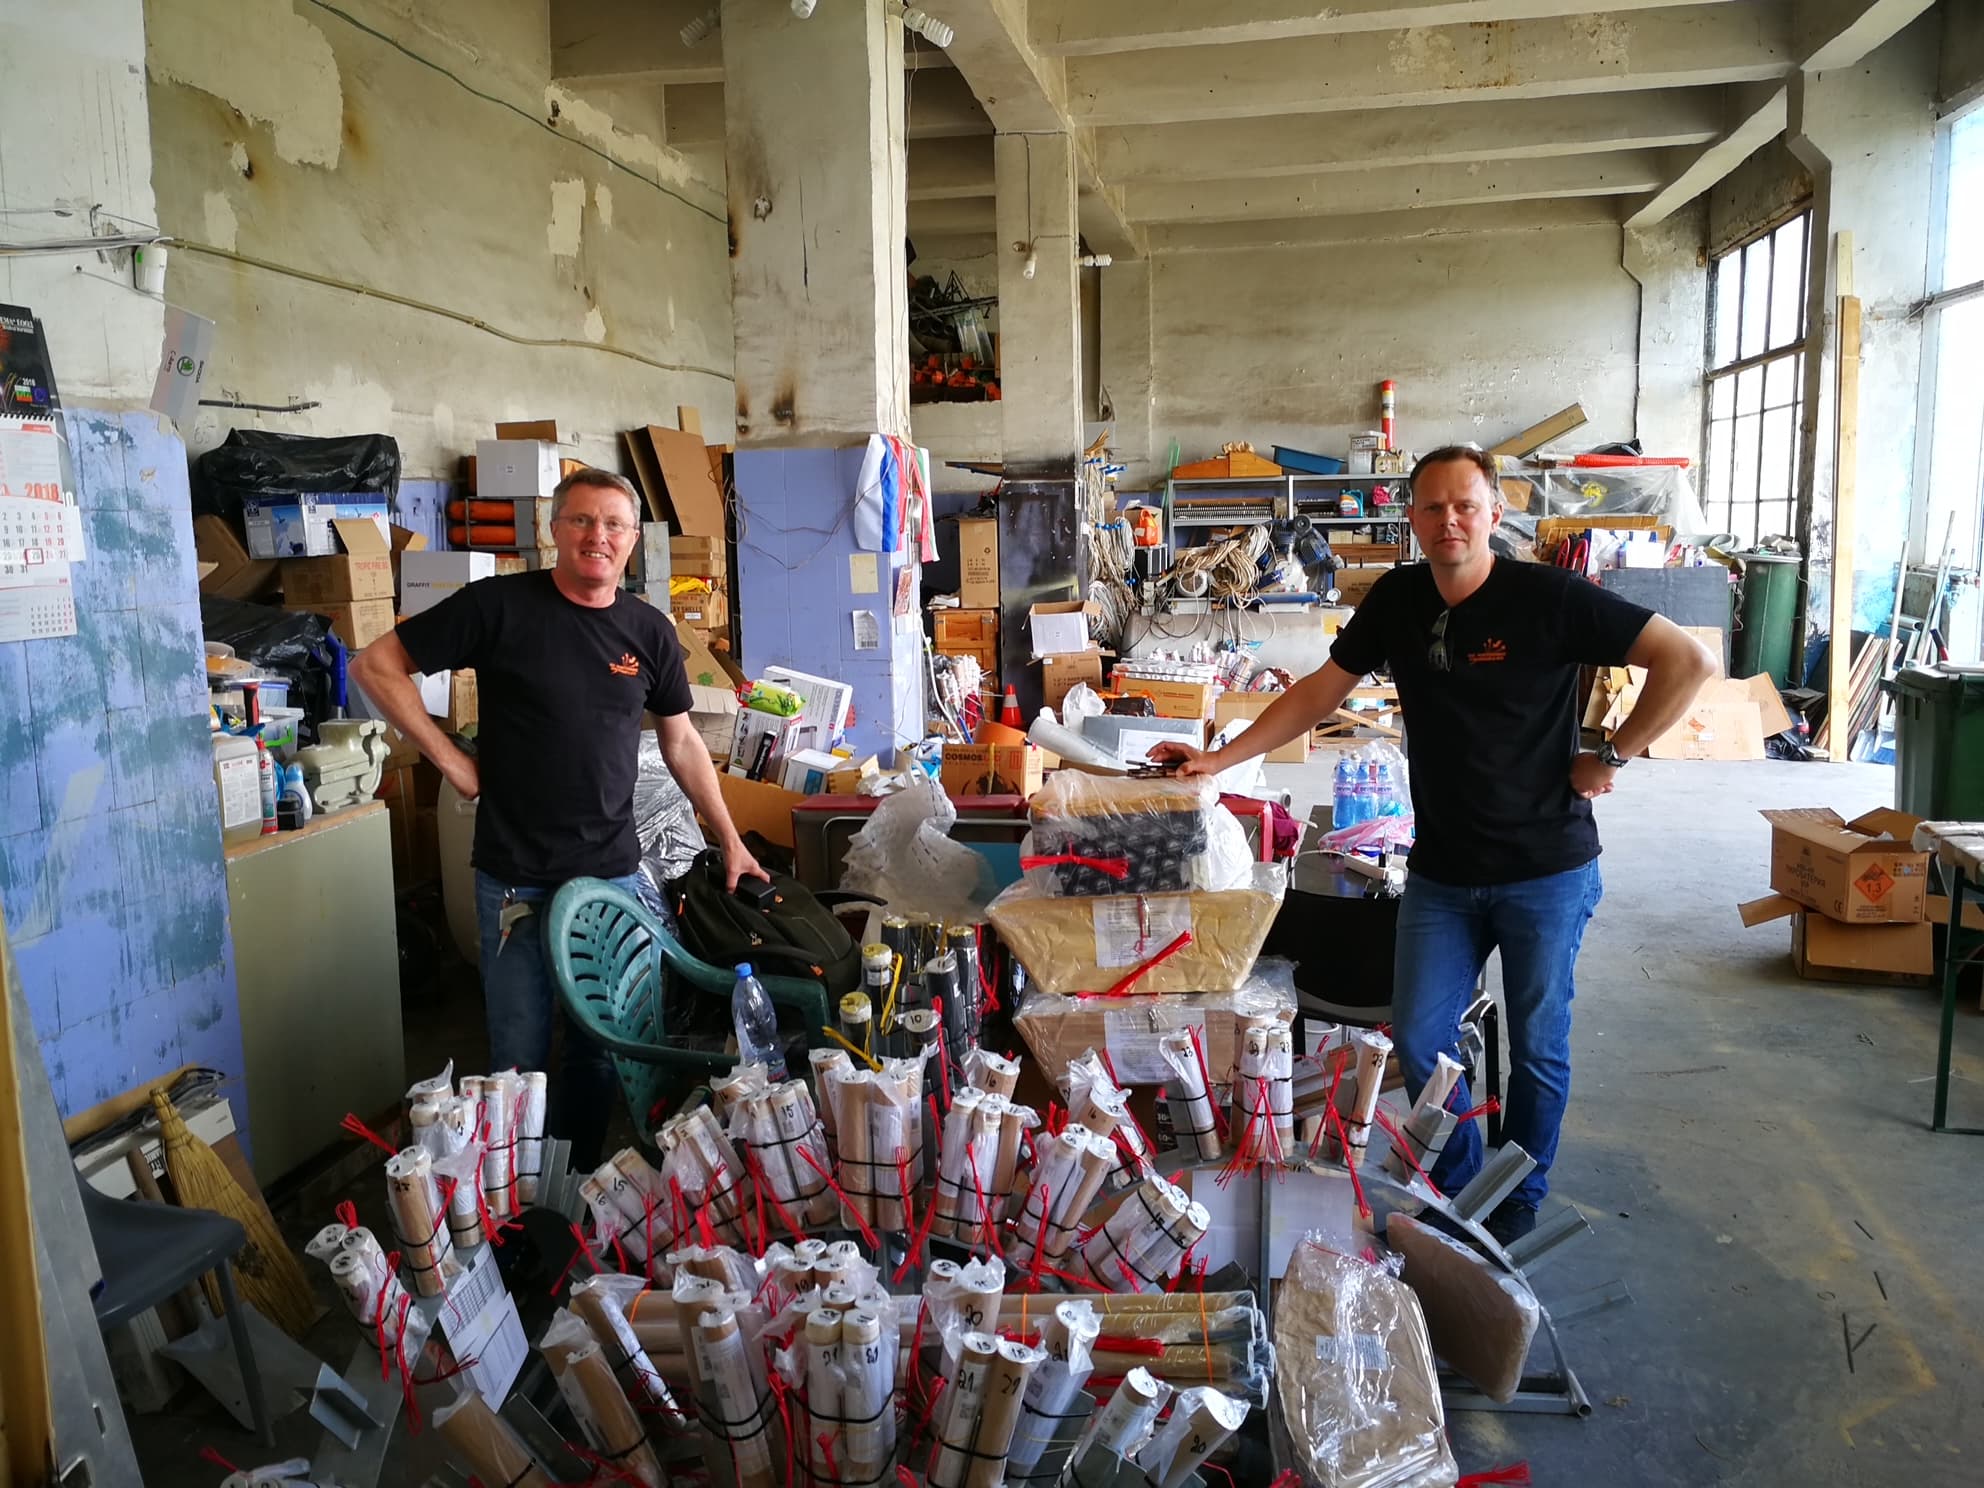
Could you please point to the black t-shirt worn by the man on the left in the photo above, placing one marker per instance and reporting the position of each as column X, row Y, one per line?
column 560, row 691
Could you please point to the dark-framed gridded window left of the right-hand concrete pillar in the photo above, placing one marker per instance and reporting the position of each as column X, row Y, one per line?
column 1757, row 376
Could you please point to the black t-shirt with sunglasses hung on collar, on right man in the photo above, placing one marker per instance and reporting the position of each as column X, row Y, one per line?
column 1491, row 741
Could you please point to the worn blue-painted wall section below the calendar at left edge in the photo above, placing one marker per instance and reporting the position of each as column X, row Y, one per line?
column 110, row 842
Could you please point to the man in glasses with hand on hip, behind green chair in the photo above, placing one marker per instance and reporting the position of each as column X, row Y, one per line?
column 566, row 666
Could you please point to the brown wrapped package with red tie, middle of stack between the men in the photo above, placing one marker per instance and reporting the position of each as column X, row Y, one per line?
column 1098, row 943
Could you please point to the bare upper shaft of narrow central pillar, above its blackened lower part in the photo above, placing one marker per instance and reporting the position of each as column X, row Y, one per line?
column 1041, row 316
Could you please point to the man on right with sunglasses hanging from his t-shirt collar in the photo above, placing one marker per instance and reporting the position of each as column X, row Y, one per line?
column 1485, row 654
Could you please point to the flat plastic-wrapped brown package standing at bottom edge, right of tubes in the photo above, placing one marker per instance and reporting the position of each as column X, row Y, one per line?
column 1356, row 1378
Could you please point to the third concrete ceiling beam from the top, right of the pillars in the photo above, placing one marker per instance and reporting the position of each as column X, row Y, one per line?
column 1364, row 140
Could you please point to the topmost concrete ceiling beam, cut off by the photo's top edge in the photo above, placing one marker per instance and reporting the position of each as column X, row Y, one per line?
column 1084, row 29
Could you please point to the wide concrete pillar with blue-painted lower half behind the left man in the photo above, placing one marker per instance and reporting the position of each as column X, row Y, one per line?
column 820, row 305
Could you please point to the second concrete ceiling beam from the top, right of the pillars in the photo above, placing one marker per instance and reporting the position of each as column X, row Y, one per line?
column 1681, row 47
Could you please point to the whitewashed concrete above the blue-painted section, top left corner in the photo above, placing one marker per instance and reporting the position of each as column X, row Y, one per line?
column 74, row 138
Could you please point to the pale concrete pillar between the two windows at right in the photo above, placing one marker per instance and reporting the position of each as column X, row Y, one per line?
column 1868, row 138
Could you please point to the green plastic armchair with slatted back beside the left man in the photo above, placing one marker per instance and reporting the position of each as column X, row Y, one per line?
column 614, row 963
